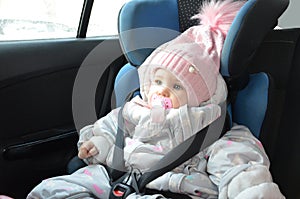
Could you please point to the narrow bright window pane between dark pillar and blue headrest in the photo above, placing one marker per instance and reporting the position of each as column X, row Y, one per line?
column 104, row 18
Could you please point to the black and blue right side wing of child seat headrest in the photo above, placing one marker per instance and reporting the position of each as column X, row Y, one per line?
column 252, row 23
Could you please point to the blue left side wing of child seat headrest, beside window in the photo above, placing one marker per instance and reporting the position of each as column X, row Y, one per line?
column 145, row 25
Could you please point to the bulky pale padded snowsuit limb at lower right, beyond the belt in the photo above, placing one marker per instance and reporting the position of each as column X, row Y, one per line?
column 239, row 166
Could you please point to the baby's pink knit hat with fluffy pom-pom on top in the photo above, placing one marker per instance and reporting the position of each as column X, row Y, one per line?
column 194, row 56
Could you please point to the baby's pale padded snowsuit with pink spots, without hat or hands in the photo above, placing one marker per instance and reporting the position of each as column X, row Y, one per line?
column 235, row 166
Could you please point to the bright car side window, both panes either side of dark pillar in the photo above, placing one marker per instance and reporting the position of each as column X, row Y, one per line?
column 46, row 19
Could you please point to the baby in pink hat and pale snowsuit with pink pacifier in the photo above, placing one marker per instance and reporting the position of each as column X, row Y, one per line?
column 181, row 93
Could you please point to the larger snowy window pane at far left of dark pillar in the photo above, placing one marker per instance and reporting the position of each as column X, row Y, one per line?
column 39, row 19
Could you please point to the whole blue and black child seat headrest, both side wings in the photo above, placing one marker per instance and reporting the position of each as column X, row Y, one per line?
column 140, row 34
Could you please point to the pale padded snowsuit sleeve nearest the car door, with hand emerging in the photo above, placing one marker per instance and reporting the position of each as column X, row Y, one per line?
column 102, row 133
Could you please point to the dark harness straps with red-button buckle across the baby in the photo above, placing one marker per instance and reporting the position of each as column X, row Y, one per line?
column 171, row 160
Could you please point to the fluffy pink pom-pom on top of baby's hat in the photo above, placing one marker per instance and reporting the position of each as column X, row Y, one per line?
column 219, row 14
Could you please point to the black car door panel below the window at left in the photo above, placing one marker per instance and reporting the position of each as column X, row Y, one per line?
column 37, row 127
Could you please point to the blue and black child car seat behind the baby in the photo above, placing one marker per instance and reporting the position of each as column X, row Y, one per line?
column 140, row 34
